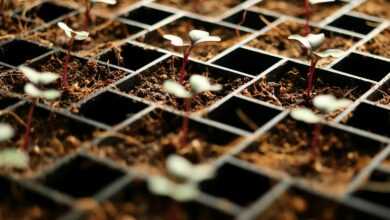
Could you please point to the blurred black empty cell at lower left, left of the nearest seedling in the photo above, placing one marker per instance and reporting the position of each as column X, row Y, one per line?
column 81, row 177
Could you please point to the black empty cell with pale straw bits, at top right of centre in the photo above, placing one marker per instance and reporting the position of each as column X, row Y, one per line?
column 250, row 19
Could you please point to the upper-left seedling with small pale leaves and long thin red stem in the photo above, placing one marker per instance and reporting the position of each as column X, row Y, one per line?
column 72, row 35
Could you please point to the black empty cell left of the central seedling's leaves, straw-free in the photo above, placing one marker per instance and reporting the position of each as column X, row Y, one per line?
column 110, row 108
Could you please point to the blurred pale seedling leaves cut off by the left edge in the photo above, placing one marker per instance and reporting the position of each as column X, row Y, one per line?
column 11, row 157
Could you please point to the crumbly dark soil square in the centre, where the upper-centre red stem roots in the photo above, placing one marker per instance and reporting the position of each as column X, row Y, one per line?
column 148, row 84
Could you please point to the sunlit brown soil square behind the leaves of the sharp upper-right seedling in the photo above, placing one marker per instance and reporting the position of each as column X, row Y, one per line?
column 276, row 41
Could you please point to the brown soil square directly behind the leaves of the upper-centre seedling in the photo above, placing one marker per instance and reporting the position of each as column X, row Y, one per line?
column 183, row 26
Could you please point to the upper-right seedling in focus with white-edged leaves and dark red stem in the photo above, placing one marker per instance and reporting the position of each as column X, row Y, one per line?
column 310, row 44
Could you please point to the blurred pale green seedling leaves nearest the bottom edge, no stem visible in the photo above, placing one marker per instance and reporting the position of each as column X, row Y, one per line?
column 191, row 175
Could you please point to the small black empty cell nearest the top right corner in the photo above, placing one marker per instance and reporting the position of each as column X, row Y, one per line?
column 354, row 24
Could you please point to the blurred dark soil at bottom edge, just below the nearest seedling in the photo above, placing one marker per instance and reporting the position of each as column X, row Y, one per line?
column 137, row 203
